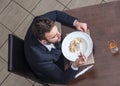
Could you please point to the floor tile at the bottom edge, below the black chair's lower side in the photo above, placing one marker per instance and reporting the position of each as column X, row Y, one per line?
column 16, row 80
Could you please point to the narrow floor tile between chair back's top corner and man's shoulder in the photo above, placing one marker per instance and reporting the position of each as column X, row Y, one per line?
column 21, row 31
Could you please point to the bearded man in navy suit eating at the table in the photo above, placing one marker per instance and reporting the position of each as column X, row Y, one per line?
column 43, row 49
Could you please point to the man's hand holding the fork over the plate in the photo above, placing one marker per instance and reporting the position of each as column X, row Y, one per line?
column 80, row 60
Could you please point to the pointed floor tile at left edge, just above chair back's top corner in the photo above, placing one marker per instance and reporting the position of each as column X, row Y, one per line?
column 3, row 34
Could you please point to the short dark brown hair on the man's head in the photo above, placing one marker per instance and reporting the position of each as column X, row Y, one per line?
column 41, row 26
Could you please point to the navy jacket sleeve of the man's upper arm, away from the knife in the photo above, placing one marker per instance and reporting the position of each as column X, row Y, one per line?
column 59, row 16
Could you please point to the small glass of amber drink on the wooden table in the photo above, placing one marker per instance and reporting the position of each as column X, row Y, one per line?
column 113, row 47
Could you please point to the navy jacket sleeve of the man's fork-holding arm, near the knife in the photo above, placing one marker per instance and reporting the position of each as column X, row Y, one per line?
column 50, row 69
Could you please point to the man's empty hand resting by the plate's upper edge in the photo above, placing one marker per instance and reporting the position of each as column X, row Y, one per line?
column 80, row 26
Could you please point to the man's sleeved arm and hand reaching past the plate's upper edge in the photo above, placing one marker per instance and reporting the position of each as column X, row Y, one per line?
column 65, row 19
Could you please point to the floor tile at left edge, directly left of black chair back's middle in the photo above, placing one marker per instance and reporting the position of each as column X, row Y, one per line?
column 4, row 51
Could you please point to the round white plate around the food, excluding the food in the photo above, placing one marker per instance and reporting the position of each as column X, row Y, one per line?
column 86, row 45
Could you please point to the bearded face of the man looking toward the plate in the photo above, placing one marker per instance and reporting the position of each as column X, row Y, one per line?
column 53, row 36
